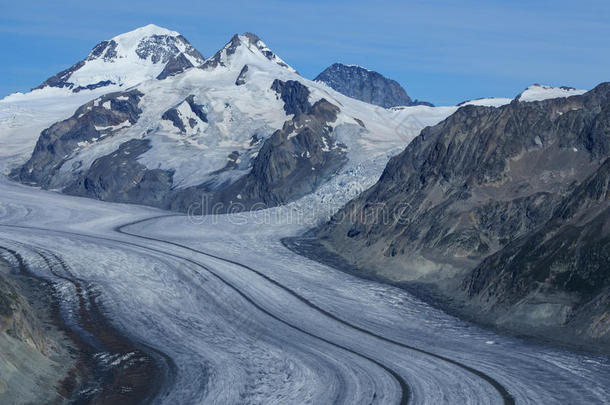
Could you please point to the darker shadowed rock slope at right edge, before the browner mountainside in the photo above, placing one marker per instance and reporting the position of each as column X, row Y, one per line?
column 558, row 274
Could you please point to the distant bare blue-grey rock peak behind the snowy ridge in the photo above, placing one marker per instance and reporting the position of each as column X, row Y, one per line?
column 365, row 85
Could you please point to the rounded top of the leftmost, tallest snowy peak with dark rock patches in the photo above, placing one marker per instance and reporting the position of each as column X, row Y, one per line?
column 128, row 59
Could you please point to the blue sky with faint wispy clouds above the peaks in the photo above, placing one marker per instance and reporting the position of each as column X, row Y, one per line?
column 442, row 51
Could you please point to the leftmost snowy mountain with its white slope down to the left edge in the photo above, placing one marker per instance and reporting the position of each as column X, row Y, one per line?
column 128, row 59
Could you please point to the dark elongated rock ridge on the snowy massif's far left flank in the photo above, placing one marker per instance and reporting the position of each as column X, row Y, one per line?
column 96, row 119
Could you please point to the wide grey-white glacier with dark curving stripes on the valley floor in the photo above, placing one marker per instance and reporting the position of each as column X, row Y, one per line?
column 246, row 320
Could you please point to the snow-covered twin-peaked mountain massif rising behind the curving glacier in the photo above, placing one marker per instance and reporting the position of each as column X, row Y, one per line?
column 242, row 128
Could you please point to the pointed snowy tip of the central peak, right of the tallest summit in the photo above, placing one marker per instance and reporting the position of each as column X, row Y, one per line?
column 243, row 49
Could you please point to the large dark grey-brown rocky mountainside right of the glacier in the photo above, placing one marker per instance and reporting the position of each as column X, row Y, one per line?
column 473, row 186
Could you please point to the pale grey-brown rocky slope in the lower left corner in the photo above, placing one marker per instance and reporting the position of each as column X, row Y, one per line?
column 37, row 359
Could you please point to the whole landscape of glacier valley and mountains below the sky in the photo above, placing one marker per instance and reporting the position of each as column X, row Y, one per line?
column 162, row 204
